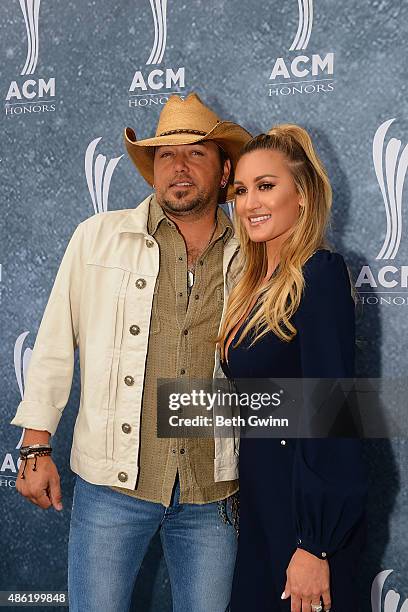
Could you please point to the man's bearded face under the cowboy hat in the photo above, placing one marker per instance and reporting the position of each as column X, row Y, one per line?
column 187, row 178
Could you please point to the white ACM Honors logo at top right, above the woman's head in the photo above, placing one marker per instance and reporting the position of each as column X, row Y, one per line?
column 300, row 70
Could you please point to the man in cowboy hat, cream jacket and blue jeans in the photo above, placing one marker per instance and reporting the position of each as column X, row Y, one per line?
column 141, row 293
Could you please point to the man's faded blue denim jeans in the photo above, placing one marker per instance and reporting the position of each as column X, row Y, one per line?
column 109, row 536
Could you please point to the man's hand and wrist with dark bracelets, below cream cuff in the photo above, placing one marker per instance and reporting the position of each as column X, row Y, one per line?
column 42, row 486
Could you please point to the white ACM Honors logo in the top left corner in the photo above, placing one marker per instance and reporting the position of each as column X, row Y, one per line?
column 30, row 95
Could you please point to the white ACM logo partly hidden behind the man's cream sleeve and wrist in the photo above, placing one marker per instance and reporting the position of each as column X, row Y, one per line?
column 9, row 467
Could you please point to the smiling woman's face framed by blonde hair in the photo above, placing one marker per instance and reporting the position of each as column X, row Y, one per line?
column 266, row 200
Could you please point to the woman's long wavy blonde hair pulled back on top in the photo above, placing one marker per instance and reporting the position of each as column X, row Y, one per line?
column 280, row 297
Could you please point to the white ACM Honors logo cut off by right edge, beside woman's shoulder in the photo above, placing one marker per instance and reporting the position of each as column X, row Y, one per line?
column 390, row 161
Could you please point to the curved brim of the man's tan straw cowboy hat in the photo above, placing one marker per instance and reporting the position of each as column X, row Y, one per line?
column 228, row 135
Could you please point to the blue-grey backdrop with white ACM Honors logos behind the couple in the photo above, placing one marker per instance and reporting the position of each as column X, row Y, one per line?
column 74, row 73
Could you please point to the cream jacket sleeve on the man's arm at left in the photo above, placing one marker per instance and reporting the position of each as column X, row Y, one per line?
column 50, row 370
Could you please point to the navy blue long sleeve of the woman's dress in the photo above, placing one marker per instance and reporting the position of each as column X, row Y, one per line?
column 329, row 474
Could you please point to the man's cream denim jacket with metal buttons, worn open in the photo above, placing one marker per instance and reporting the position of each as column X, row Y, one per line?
column 101, row 302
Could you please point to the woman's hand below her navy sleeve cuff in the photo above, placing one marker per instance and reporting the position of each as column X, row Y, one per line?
column 308, row 581
